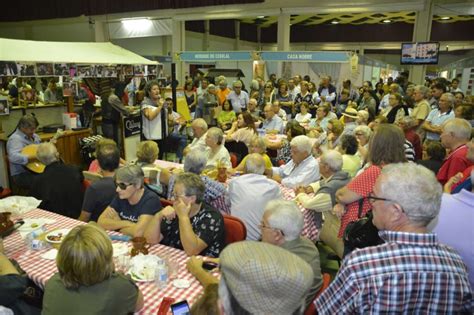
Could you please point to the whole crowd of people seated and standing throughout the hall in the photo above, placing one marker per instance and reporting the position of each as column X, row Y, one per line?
column 400, row 153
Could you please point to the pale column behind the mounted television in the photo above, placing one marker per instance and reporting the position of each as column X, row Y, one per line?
column 421, row 33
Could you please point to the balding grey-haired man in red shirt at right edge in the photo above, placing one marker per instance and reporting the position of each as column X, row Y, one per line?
column 456, row 133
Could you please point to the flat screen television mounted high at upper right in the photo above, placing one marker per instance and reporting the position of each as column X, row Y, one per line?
column 421, row 53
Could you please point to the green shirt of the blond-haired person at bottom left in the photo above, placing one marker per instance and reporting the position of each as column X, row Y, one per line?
column 116, row 295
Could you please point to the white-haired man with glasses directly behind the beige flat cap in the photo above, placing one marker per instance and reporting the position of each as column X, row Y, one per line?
column 281, row 225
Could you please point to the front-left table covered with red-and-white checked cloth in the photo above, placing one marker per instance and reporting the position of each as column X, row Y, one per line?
column 40, row 270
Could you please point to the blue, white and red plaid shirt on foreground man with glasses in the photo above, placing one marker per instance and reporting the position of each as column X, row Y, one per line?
column 411, row 274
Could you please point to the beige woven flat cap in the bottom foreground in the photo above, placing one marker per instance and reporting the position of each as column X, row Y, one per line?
column 264, row 278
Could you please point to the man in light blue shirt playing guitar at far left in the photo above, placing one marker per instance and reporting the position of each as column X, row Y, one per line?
column 23, row 136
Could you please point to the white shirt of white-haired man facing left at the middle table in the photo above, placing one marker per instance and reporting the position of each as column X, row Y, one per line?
column 303, row 174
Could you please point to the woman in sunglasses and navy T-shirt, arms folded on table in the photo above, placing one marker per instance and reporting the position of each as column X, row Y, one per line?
column 133, row 207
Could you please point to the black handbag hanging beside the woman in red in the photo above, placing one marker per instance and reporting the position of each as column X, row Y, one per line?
column 362, row 233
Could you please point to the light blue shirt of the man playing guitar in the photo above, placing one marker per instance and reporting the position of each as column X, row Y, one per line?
column 17, row 141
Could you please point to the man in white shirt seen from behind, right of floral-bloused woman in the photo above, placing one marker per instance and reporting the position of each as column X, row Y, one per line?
column 250, row 193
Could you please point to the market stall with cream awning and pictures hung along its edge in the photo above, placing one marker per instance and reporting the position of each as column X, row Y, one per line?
column 67, row 63
